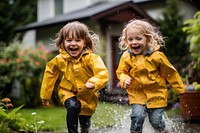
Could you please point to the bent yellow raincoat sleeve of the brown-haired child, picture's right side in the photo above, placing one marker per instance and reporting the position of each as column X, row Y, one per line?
column 100, row 72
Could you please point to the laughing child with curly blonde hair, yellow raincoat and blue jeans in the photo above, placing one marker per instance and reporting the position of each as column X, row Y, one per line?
column 143, row 71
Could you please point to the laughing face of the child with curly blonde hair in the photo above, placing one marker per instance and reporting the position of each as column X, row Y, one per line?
column 137, row 42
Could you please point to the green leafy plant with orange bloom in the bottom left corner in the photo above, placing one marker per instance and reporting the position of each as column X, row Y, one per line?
column 11, row 120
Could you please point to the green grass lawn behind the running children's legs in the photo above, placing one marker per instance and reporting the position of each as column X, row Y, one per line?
column 106, row 115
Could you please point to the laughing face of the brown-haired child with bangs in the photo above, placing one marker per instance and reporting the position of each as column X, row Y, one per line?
column 74, row 46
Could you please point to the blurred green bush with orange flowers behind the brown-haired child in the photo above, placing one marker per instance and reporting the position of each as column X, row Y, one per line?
column 25, row 67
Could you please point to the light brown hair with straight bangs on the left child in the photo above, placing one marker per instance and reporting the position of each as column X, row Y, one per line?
column 77, row 30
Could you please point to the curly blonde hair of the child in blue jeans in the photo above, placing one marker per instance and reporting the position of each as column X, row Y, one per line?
column 147, row 29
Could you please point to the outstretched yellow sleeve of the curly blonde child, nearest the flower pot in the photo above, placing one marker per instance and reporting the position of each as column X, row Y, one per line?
column 171, row 74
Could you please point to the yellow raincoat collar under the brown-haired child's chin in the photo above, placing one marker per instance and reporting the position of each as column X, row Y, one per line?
column 65, row 55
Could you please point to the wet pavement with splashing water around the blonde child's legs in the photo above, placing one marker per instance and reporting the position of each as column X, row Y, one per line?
column 174, row 125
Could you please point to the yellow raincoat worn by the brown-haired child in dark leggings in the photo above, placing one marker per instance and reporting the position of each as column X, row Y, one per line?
column 76, row 72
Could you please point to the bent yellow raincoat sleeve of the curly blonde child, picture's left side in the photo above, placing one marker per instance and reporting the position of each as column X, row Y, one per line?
column 123, row 70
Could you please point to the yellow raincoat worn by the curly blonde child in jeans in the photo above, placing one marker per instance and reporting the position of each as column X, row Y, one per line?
column 149, row 74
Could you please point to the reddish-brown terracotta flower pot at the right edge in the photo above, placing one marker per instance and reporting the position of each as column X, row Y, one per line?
column 190, row 106
